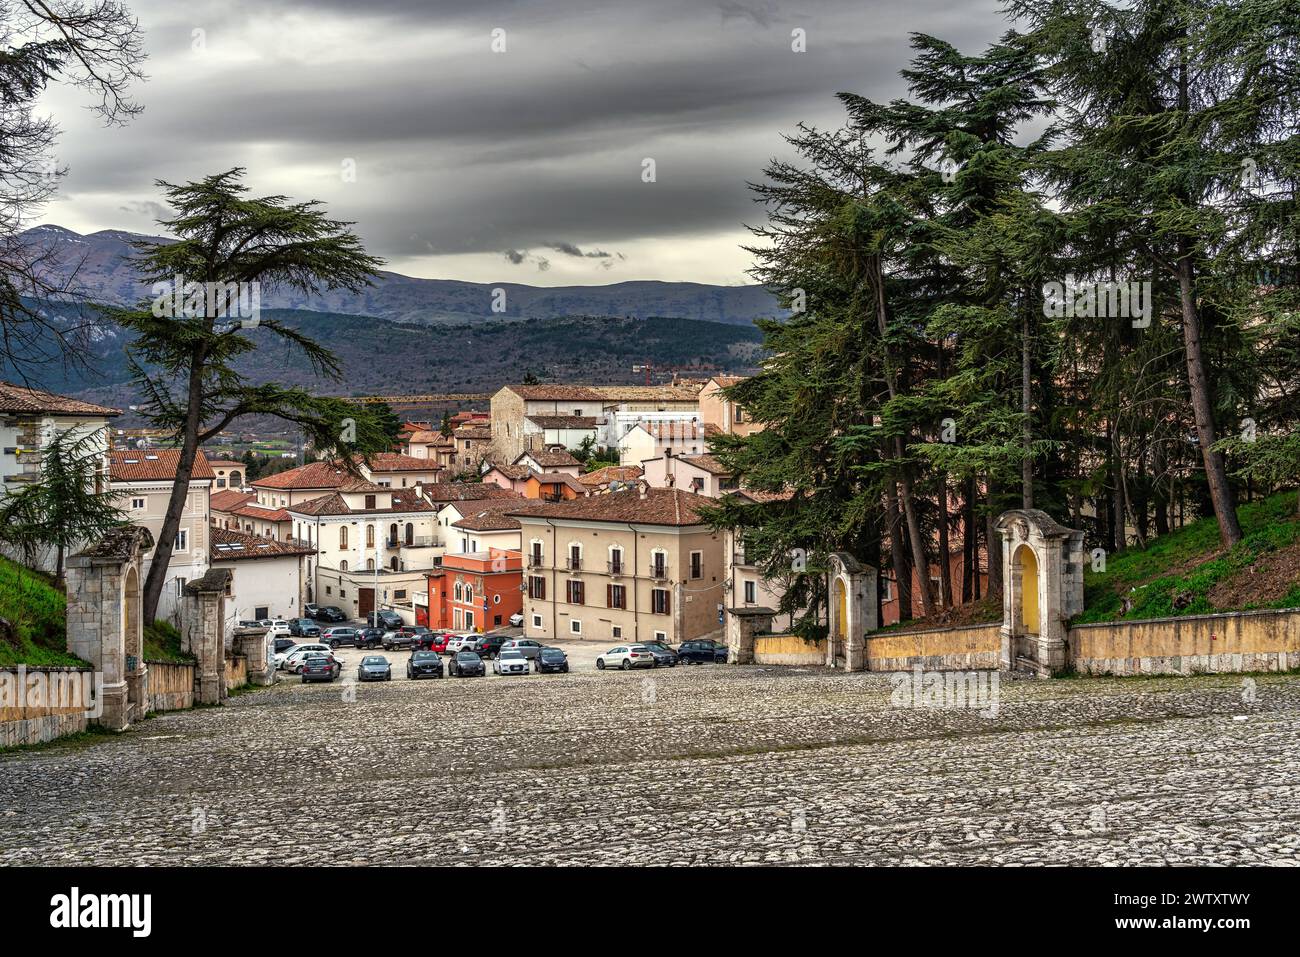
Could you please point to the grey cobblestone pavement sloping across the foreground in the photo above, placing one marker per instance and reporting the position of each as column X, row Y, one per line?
column 708, row 765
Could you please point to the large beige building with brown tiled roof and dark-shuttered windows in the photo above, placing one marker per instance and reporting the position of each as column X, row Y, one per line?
column 635, row 565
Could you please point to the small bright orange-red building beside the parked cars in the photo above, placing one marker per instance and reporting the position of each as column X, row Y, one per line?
column 475, row 591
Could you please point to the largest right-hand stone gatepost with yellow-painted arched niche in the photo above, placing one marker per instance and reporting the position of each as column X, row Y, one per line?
column 1042, row 590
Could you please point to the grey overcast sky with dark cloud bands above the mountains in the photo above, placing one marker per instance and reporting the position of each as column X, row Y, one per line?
column 523, row 166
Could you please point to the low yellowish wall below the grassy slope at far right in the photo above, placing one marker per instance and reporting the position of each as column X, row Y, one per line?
column 1229, row 643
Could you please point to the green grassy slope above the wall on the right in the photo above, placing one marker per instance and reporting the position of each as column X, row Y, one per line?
column 1189, row 562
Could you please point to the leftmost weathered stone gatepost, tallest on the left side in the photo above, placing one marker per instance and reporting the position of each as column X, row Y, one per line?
column 106, row 586
